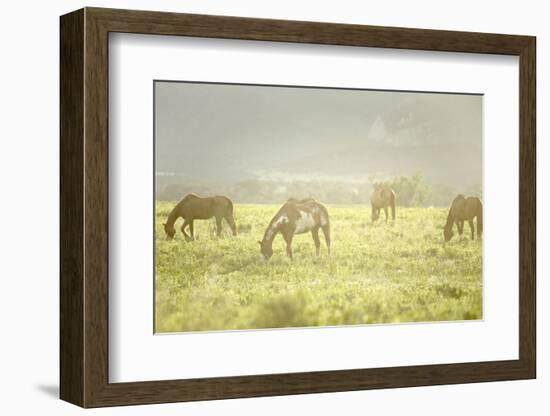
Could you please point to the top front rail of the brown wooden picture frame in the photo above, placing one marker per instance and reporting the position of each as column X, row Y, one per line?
column 162, row 23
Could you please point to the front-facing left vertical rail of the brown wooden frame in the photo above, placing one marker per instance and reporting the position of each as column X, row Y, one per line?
column 96, row 208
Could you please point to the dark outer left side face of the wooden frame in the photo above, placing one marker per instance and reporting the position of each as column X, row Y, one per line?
column 71, row 208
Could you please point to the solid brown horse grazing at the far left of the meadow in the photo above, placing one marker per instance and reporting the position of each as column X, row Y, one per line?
column 193, row 207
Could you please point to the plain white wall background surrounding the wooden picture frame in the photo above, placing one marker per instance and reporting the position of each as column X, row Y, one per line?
column 29, row 225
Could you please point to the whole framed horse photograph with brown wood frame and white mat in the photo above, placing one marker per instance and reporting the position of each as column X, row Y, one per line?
column 254, row 207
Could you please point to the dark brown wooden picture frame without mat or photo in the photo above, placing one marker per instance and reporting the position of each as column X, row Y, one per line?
column 84, row 207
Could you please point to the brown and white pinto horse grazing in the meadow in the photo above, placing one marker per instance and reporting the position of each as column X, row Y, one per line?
column 297, row 217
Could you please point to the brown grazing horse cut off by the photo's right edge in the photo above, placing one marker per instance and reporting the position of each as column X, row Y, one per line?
column 464, row 209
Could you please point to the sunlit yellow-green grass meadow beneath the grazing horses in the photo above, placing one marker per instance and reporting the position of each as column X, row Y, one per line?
column 379, row 273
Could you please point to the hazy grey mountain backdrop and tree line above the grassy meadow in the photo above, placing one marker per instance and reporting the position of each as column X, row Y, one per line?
column 260, row 144
